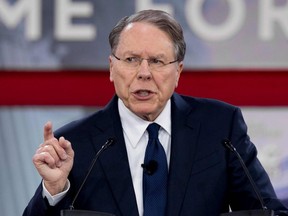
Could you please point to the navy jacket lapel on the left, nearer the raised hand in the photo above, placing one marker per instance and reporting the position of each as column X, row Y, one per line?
column 115, row 162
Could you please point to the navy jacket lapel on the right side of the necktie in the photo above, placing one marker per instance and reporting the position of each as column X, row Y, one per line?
column 183, row 148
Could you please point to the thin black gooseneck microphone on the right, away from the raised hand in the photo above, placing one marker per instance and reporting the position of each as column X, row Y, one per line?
column 258, row 212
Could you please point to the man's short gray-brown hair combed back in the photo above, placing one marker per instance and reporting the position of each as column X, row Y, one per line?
column 158, row 18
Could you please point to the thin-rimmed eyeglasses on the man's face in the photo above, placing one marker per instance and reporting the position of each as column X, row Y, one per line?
column 134, row 62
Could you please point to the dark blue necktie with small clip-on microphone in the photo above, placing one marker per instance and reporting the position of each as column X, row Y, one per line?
column 155, row 175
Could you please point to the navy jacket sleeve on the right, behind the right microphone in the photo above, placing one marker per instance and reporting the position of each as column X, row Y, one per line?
column 241, row 192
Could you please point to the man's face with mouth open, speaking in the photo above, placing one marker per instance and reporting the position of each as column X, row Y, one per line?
column 144, row 90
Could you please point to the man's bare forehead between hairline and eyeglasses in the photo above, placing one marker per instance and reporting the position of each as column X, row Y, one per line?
column 142, row 37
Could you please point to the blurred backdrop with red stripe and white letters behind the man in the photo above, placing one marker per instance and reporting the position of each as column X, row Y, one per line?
column 54, row 66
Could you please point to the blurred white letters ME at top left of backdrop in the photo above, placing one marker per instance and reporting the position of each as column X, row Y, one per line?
column 65, row 11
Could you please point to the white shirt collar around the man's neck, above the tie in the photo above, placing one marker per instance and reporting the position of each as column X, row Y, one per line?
column 134, row 127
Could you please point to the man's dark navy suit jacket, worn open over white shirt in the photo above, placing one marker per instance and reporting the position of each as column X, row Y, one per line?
column 204, row 178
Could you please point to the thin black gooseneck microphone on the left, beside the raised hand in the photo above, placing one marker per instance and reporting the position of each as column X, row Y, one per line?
column 71, row 211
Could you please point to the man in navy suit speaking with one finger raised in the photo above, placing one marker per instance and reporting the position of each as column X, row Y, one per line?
column 203, row 178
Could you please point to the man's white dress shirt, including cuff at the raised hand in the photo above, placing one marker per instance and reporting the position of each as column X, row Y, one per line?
column 136, row 140
